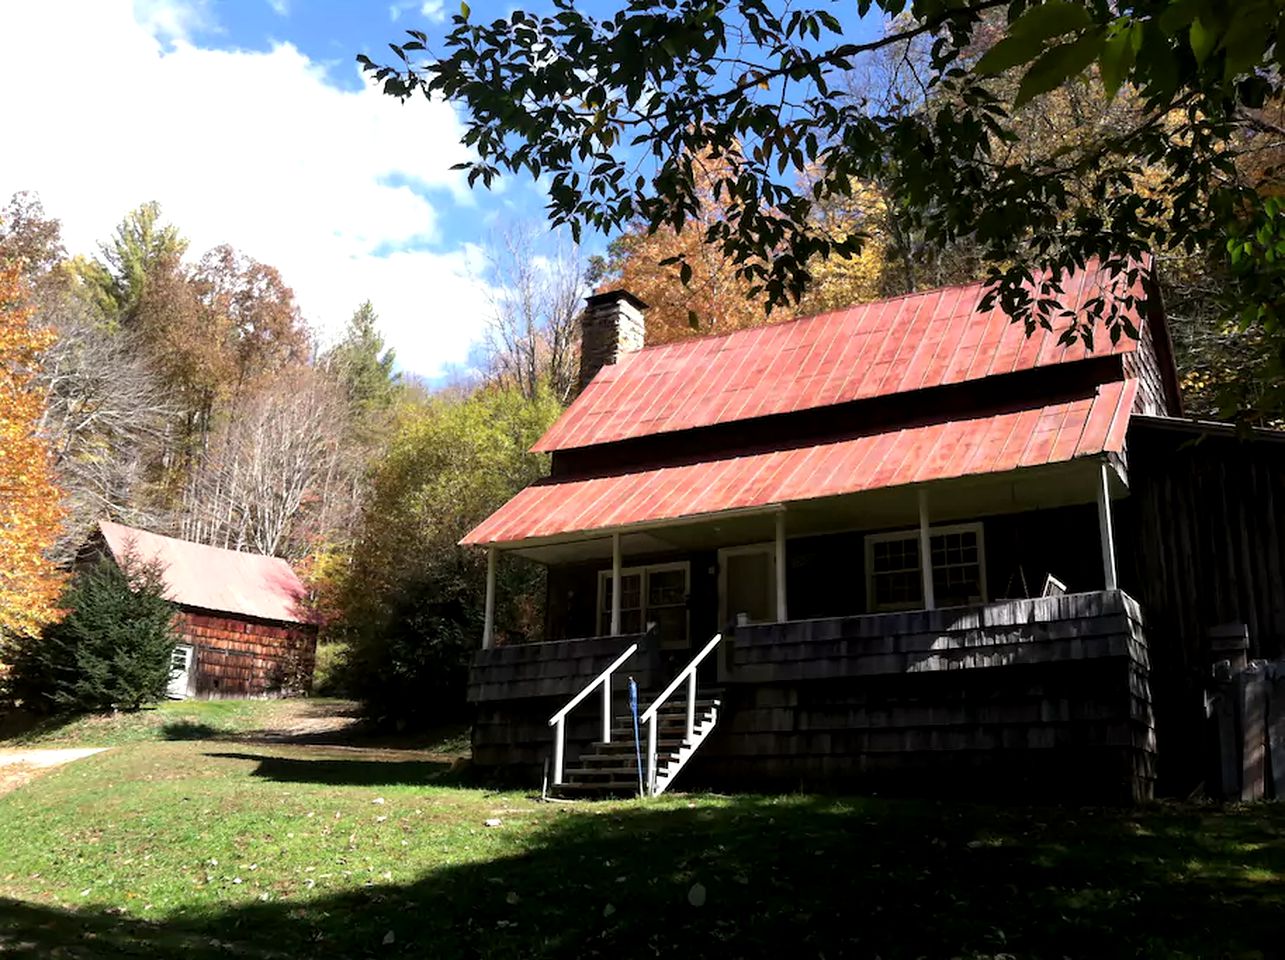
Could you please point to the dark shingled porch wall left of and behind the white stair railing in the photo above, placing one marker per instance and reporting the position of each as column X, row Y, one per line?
column 520, row 687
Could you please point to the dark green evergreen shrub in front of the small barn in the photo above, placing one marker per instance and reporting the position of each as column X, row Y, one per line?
column 111, row 651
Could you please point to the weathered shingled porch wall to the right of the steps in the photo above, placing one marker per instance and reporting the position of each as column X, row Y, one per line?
column 1040, row 698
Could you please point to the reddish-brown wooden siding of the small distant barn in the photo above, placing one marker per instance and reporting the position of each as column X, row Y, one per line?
column 247, row 657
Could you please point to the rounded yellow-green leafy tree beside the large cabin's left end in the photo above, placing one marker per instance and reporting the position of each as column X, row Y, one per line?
column 409, row 603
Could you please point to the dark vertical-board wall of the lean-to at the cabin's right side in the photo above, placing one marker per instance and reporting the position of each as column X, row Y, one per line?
column 1202, row 546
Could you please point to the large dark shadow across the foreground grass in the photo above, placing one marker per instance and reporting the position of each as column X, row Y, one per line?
column 808, row 877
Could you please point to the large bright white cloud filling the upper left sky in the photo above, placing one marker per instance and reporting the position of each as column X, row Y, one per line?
column 249, row 148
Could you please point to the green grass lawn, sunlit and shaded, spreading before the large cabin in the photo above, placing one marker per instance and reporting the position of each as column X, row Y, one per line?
column 204, row 850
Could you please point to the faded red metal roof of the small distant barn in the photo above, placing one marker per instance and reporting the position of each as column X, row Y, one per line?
column 214, row 579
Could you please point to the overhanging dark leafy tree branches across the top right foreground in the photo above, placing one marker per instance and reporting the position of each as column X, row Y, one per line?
column 614, row 111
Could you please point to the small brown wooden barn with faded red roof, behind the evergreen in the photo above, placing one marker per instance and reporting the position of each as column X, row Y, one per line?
column 241, row 620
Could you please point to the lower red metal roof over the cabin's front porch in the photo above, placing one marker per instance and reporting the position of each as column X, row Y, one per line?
column 993, row 444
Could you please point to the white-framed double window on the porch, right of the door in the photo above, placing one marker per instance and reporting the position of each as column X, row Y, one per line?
column 895, row 580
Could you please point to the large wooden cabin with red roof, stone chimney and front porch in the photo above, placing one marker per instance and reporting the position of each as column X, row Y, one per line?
column 900, row 547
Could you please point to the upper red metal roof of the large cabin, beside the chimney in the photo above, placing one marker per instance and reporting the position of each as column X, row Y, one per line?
column 923, row 340
